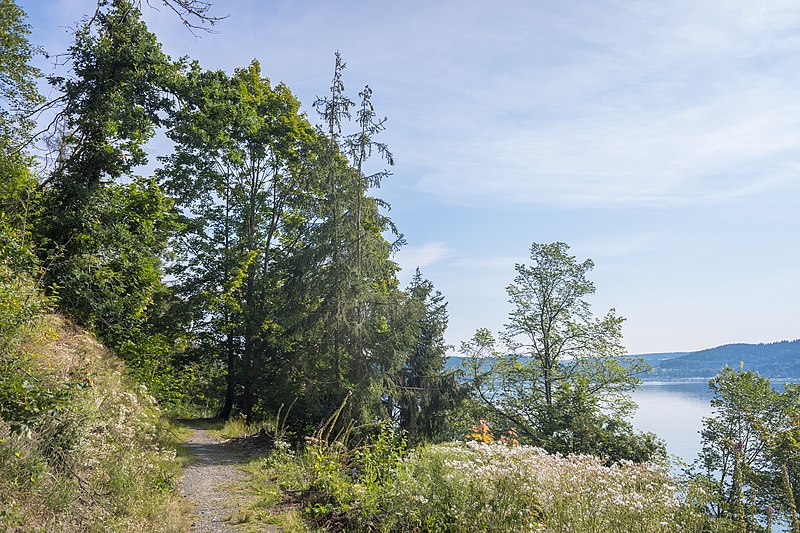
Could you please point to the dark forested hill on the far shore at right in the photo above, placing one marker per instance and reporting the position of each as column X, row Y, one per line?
column 775, row 360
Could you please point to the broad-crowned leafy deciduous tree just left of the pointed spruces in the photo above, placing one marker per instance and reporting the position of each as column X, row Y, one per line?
column 240, row 171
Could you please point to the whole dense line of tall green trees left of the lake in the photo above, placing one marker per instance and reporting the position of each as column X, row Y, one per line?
column 254, row 269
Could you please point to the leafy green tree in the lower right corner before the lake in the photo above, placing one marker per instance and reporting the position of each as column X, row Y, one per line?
column 749, row 459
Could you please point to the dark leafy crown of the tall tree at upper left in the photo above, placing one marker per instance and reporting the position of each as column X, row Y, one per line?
column 111, row 105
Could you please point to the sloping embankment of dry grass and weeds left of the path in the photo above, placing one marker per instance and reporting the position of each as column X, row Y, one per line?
column 82, row 448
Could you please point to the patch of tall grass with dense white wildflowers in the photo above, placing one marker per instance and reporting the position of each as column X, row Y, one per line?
column 477, row 486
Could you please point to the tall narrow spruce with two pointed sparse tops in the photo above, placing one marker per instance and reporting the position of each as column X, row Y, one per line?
column 355, row 339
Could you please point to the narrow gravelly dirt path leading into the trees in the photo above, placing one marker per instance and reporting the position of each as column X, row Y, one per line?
column 207, row 482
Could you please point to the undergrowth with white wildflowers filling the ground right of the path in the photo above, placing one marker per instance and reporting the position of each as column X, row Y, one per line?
column 477, row 485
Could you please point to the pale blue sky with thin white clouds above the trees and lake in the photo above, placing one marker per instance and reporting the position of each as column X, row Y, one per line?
column 660, row 139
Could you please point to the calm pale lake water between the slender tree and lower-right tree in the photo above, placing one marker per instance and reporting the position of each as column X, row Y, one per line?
column 674, row 412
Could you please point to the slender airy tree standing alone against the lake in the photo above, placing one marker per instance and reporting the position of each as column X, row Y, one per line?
column 564, row 383
